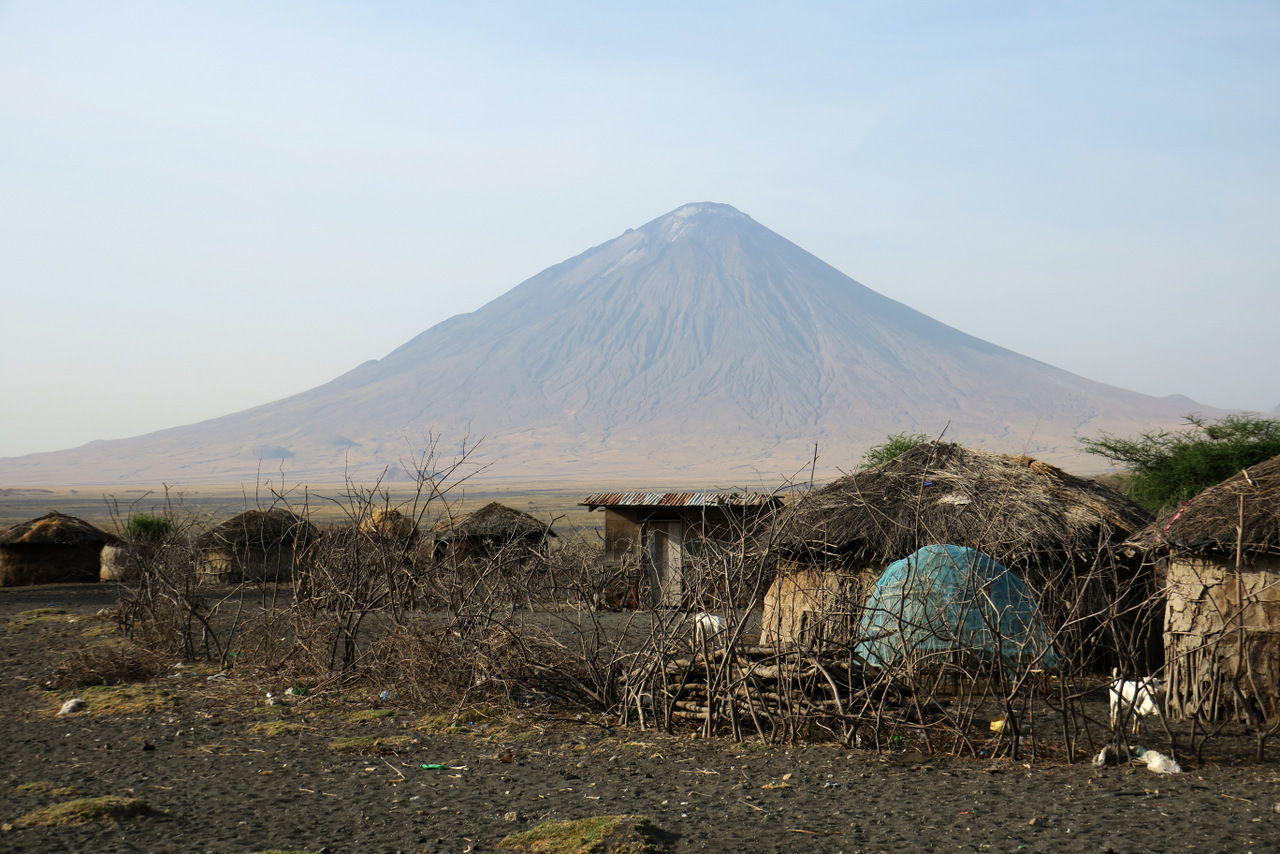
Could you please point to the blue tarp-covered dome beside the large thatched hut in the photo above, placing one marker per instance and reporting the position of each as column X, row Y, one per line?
column 950, row 599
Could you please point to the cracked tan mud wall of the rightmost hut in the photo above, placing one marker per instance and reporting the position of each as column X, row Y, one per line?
column 1203, row 637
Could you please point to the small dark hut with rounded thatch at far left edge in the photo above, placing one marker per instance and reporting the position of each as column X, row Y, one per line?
column 52, row 550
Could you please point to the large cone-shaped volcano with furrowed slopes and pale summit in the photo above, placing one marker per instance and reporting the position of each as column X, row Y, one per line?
column 698, row 349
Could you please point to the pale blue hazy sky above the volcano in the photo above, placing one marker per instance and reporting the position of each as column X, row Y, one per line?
column 205, row 207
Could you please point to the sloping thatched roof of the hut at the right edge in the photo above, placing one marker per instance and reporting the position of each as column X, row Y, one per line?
column 1208, row 523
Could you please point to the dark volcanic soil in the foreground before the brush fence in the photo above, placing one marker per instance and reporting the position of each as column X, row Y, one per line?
column 221, row 788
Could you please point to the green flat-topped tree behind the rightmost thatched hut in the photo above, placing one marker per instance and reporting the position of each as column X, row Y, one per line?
column 1167, row 467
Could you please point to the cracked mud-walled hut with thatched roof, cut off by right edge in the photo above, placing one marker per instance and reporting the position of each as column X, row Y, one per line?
column 1220, row 558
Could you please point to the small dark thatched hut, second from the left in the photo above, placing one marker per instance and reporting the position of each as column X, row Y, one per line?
column 255, row 546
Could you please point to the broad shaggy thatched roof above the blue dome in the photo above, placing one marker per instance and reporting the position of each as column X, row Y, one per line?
column 1018, row 510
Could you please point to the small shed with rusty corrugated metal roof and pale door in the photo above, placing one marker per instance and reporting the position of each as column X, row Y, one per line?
column 664, row 533
